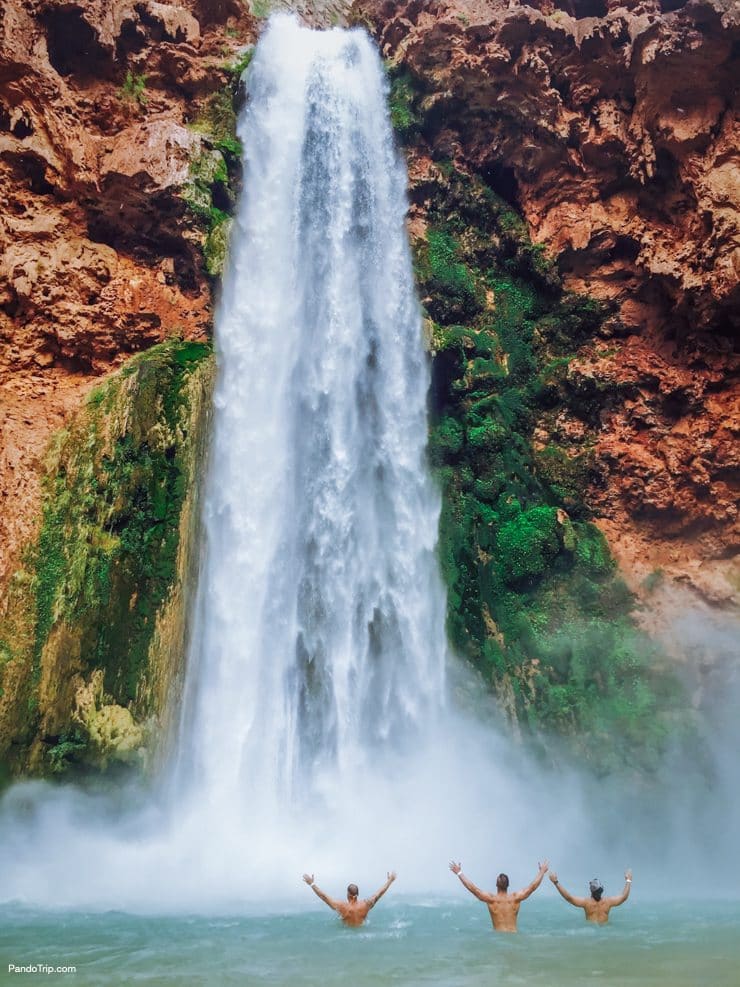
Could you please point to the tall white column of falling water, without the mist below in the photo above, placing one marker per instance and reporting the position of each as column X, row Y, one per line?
column 319, row 625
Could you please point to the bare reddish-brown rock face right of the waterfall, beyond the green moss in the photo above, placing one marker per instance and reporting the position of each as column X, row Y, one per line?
column 613, row 127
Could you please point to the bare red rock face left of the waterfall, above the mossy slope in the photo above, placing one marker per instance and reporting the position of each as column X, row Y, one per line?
column 100, row 255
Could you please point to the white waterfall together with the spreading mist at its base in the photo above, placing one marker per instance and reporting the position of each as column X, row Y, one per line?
column 317, row 733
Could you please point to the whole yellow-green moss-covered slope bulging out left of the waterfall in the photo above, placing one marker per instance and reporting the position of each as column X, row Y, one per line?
column 92, row 631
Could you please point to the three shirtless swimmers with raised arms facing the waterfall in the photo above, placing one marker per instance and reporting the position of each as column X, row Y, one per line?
column 503, row 905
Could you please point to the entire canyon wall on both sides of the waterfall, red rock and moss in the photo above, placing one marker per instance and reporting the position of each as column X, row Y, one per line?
column 574, row 213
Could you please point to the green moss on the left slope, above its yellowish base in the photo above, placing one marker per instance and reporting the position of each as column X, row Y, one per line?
column 111, row 518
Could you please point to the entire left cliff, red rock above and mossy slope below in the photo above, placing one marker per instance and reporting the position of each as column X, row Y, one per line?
column 116, row 156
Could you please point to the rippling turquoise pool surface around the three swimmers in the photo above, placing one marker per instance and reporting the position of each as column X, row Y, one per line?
column 409, row 942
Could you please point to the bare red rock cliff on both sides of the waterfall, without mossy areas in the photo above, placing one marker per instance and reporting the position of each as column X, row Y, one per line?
column 611, row 126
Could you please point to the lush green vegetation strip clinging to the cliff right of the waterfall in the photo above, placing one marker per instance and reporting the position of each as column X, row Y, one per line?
column 534, row 599
